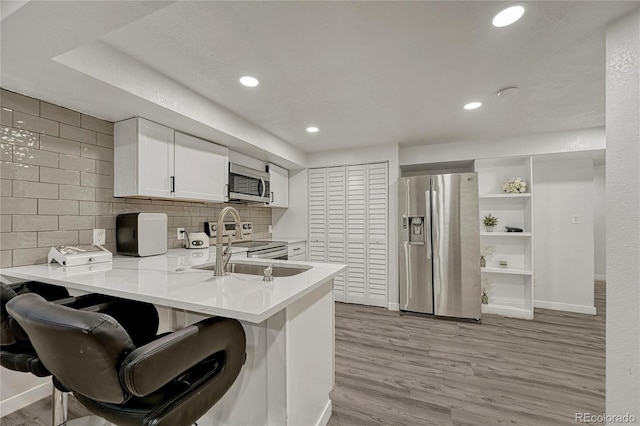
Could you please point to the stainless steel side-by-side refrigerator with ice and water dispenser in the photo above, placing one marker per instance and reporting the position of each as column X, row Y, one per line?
column 439, row 245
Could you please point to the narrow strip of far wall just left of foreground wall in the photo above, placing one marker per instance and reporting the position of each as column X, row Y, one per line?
column 599, row 223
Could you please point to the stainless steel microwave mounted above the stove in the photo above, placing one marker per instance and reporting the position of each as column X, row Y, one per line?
column 247, row 184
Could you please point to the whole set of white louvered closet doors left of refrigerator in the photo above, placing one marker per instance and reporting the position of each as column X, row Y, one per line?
column 348, row 217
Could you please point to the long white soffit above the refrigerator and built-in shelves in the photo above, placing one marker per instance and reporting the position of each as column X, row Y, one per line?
column 541, row 143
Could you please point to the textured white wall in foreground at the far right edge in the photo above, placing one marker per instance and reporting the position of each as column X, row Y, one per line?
column 623, row 215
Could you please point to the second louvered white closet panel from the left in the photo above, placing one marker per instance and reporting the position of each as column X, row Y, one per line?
column 336, row 230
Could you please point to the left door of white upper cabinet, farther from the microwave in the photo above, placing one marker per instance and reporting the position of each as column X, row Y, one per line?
column 155, row 159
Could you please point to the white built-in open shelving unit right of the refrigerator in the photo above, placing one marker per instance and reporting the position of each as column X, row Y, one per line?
column 510, row 289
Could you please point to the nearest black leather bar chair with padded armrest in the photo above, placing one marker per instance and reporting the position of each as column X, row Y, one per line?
column 172, row 380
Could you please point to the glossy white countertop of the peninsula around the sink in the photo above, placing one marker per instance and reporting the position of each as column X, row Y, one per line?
column 169, row 280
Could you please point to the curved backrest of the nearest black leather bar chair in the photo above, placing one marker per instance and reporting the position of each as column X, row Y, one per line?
column 83, row 350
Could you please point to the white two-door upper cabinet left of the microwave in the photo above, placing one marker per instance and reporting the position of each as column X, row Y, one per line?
column 151, row 160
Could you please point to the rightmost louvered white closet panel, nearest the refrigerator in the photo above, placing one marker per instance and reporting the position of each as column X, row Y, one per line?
column 378, row 234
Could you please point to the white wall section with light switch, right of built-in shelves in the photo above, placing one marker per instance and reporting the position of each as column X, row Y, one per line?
column 563, row 251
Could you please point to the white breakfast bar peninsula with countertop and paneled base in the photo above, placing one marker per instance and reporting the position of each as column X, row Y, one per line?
column 289, row 323
